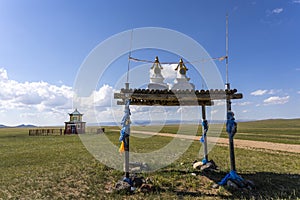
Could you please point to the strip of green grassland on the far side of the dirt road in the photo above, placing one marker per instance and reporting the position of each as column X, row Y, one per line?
column 285, row 131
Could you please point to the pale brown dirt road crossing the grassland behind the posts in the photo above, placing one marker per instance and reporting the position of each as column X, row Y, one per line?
column 238, row 143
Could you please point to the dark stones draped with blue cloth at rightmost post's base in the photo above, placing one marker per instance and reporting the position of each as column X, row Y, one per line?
column 233, row 180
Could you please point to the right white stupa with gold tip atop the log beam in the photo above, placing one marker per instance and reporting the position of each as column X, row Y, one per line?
column 182, row 81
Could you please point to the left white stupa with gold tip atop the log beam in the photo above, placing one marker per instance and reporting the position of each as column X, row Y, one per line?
column 156, row 79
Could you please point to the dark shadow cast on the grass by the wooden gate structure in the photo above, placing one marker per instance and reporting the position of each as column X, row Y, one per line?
column 268, row 185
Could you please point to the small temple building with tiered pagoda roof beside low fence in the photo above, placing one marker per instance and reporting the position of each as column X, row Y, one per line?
column 75, row 125
